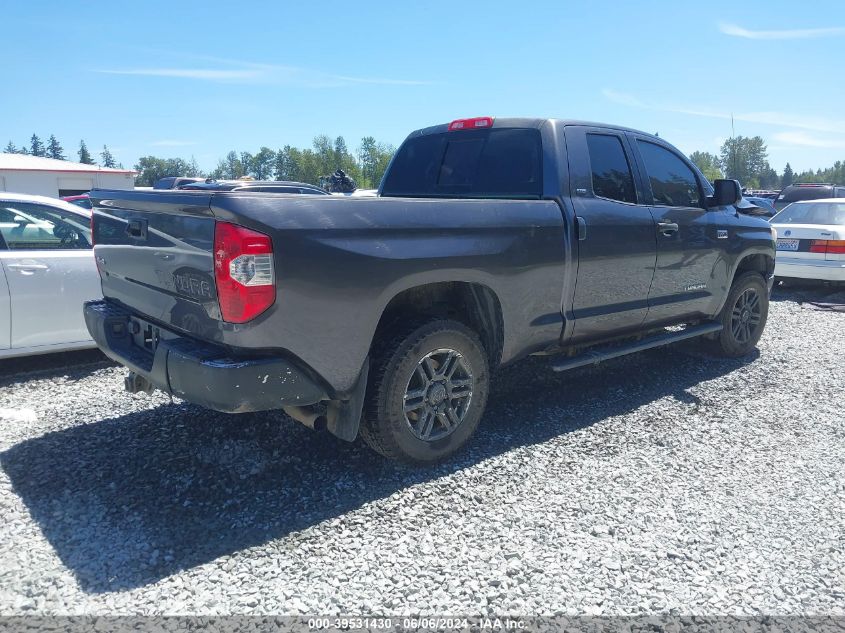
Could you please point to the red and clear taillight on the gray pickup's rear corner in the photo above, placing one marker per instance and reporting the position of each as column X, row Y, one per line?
column 243, row 270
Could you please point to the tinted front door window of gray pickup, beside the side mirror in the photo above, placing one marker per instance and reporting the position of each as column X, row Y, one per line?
column 673, row 183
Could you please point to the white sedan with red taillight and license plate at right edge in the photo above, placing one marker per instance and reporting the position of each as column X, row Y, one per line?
column 811, row 240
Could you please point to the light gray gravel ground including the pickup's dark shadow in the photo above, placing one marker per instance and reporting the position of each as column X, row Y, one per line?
column 665, row 482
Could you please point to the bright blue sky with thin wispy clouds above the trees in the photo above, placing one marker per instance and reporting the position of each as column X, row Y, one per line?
column 198, row 79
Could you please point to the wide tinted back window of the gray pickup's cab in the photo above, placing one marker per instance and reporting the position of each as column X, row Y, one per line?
column 504, row 163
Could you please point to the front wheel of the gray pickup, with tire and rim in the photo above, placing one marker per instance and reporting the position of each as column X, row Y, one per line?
column 743, row 317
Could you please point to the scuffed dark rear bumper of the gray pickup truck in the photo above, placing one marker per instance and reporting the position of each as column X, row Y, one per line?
column 199, row 372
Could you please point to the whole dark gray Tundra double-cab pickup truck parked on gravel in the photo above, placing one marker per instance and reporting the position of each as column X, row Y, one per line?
column 490, row 240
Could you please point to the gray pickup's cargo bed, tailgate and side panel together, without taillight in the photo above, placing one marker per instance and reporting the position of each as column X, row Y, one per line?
column 338, row 262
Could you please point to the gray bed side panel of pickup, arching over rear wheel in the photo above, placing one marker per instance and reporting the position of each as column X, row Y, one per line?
column 339, row 262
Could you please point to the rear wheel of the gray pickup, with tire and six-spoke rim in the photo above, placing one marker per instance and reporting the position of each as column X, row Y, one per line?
column 401, row 366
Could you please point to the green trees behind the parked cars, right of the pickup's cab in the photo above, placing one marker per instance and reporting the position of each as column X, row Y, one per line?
column 746, row 159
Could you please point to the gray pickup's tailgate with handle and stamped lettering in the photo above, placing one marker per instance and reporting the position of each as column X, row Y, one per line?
column 155, row 254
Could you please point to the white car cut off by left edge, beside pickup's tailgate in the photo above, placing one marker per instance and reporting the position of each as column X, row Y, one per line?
column 47, row 271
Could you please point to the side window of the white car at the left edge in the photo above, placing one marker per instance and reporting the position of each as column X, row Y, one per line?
column 27, row 226
